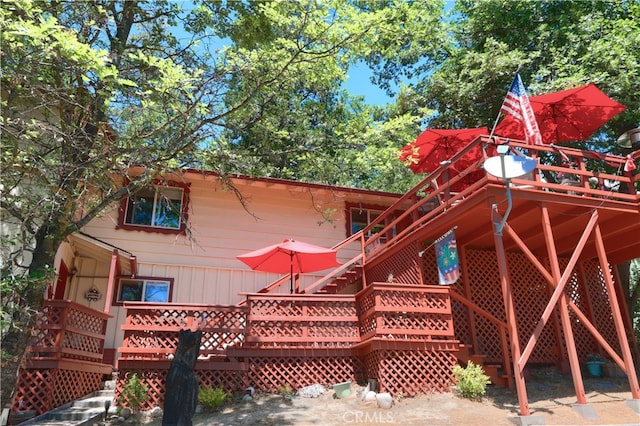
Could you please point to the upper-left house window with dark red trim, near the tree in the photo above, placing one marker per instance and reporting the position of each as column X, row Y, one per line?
column 157, row 208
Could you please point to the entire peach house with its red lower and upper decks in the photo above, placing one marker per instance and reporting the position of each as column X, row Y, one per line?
column 538, row 282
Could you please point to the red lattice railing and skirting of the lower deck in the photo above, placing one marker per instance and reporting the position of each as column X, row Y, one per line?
column 298, row 339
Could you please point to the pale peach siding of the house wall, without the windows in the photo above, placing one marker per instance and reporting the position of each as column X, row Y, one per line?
column 204, row 267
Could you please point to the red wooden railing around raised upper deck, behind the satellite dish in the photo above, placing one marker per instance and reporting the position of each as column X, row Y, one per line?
column 433, row 196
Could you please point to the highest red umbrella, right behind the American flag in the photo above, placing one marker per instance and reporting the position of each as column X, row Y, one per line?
column 565, row 116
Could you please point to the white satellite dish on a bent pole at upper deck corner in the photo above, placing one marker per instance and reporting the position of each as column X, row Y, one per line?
column 507, row 167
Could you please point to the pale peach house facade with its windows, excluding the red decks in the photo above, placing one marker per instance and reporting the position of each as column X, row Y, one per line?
column 163, row 259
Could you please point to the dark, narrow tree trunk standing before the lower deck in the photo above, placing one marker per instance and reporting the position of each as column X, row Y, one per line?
column 182, row 383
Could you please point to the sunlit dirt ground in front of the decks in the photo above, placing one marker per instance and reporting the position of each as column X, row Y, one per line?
column 551, row 398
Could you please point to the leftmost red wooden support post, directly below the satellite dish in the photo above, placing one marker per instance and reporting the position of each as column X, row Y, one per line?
column 512, row 326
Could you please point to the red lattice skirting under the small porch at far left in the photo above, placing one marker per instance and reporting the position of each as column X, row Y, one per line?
column 45, row 389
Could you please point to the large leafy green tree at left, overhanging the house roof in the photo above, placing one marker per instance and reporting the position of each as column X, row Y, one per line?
column 100, row 98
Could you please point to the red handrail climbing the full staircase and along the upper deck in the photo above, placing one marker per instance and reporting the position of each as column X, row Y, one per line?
column 444, row 199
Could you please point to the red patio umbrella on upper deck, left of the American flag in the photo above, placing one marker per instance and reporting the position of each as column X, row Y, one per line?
column 434, row 146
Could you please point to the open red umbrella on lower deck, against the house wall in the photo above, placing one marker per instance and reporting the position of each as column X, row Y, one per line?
column 290, row 256
